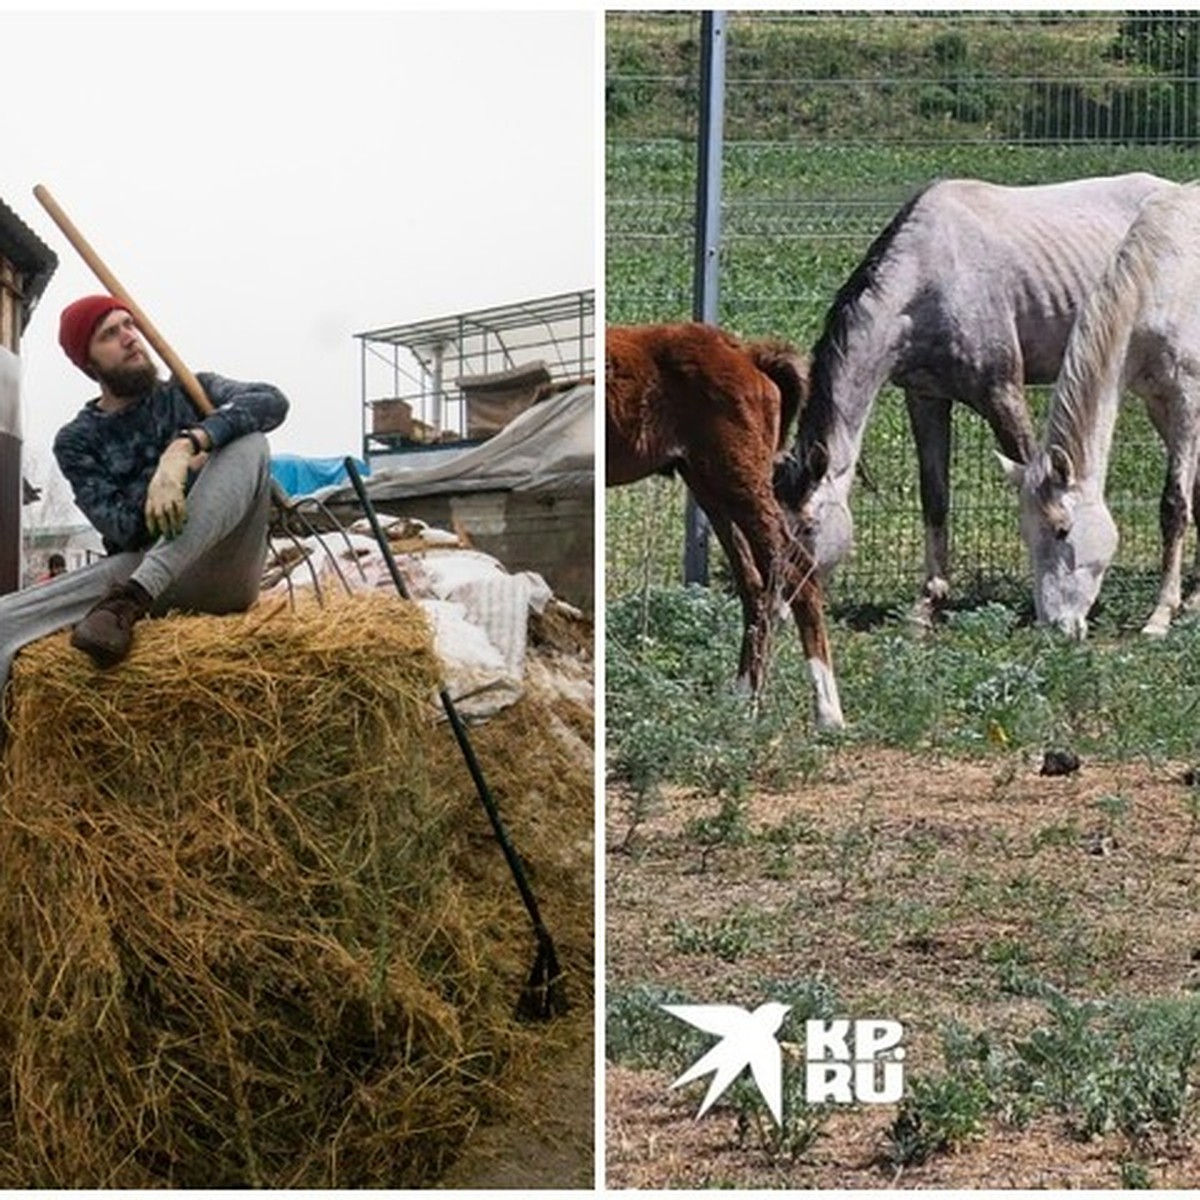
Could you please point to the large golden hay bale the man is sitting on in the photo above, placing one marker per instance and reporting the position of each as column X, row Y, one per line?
column 245, row 939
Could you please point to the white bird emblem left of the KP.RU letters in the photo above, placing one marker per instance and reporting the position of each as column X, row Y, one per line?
column 748, row 1040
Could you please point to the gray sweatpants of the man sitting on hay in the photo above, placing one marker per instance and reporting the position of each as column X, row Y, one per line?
column 215, row 566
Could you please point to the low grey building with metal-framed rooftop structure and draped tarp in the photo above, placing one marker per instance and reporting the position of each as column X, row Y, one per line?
column 484, row 424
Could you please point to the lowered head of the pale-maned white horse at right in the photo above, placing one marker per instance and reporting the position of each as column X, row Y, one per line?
column 1071, row 536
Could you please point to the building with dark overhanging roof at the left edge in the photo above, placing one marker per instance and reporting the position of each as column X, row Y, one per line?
column 26, row 268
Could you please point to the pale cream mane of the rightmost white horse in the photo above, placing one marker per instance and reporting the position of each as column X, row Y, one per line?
column 1090, row 377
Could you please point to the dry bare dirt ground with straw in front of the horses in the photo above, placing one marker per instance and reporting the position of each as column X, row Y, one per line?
column 910, row 877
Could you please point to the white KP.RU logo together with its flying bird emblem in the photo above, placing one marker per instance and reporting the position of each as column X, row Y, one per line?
column 844, row 1061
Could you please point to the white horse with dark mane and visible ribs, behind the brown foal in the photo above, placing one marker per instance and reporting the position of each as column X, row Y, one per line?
column 969, row 295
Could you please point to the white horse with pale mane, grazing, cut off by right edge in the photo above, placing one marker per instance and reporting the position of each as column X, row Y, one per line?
column 1139, row 329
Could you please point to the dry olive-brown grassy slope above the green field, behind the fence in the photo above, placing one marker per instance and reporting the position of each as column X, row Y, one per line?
column 922, row 76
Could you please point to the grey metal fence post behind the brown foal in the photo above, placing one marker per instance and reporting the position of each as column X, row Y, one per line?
column 706, row 292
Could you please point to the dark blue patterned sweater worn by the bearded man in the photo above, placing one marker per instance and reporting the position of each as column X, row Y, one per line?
column 109, row 459
